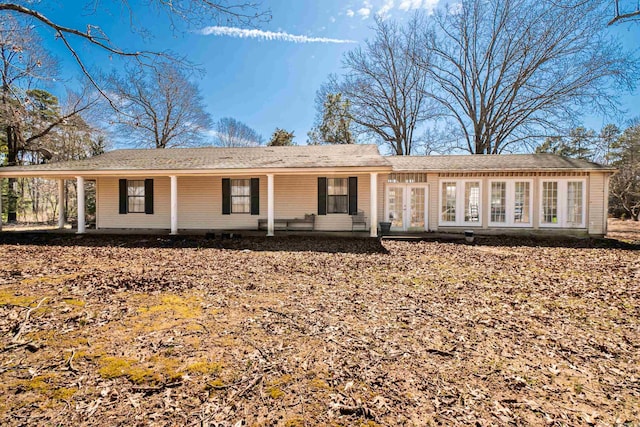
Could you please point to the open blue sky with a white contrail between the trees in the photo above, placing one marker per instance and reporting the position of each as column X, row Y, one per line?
column 265, row 81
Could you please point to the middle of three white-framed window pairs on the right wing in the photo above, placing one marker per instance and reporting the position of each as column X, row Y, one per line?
column 510, row 203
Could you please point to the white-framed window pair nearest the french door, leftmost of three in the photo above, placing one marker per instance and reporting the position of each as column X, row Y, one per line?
column 460, row 202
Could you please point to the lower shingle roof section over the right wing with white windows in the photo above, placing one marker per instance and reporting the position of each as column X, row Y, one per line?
column 501, row 162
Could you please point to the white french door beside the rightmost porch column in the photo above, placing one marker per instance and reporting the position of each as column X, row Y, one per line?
column 406, row 207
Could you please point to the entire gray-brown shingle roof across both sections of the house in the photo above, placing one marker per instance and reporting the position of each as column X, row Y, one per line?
column 314, row 156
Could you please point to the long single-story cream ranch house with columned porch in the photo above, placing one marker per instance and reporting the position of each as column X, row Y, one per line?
column 334, row 188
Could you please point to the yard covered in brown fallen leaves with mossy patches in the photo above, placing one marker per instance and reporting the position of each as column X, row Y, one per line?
column 299, row 331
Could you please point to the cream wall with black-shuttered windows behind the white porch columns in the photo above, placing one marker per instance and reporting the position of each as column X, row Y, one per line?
column 200, row 203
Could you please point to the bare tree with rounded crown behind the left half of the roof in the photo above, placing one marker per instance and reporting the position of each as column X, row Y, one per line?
column 159, row 107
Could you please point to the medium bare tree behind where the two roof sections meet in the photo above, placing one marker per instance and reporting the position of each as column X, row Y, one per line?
column 385, row 87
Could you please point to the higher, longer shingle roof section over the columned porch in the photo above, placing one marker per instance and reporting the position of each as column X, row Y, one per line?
column 315, row 156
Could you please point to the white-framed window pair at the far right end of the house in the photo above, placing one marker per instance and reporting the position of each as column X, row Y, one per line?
column 562, row 203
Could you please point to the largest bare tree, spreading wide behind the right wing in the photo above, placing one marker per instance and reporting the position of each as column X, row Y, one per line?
column 510, row 71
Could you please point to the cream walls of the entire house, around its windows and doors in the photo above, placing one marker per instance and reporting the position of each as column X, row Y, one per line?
column 200, row 203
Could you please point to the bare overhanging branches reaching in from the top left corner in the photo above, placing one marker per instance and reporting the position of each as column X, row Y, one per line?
column 182, row 15
